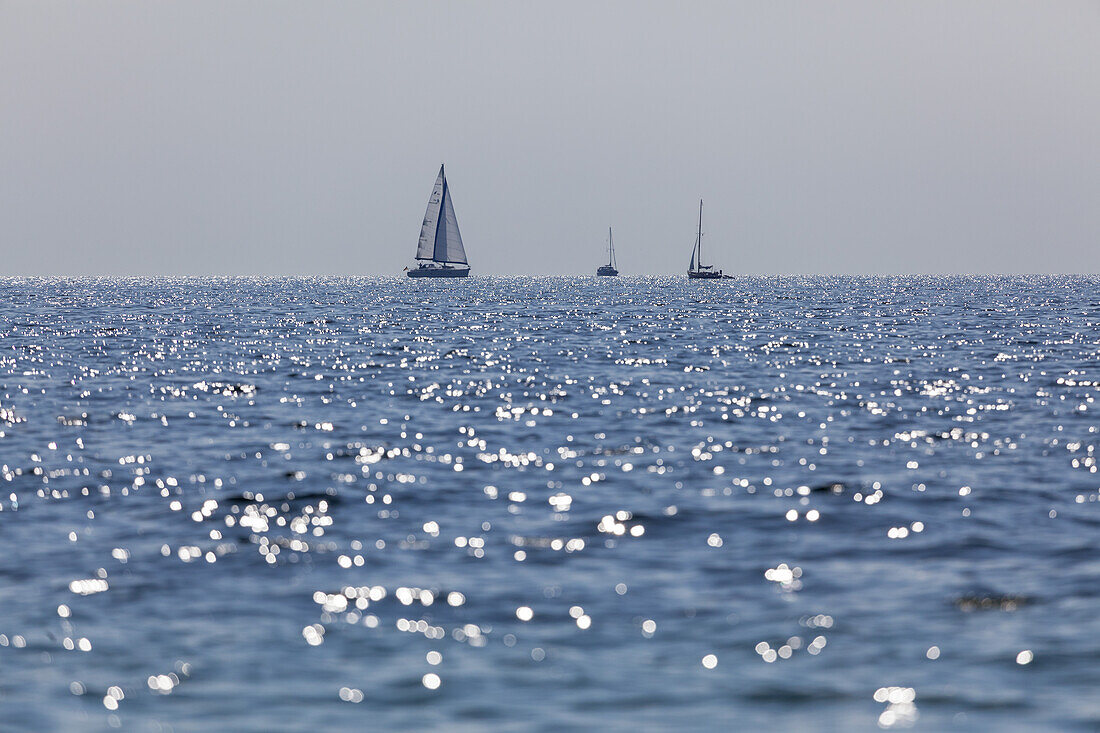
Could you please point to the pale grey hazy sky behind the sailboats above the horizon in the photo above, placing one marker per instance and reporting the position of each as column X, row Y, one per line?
column 304, row 138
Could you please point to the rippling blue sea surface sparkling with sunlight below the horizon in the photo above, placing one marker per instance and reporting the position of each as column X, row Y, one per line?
column 542, row 505
